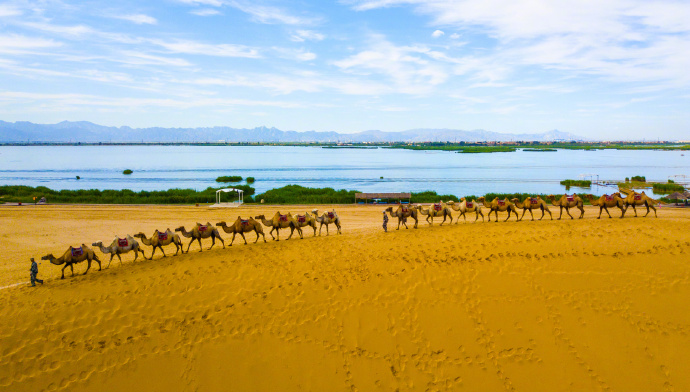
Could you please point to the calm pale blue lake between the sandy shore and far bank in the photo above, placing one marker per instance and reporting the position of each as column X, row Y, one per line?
column 196, row 167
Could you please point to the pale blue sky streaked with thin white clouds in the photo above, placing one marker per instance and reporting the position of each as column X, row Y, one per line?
column 617, row 69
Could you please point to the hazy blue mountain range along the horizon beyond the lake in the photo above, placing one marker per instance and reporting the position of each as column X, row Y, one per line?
column 87, row 132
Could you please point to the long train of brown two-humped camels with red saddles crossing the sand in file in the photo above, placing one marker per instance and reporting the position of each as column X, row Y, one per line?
column 162, row 238
